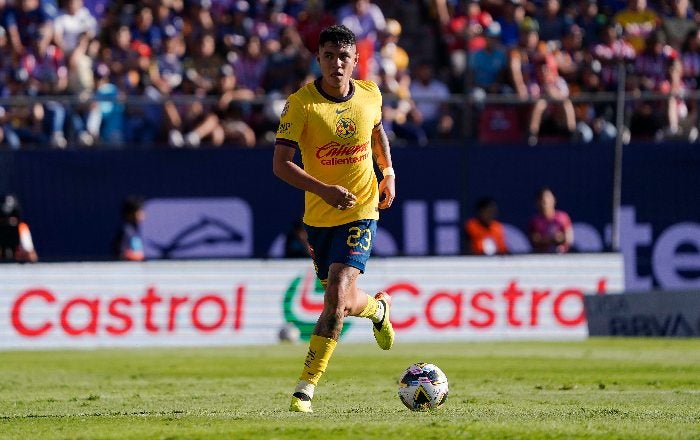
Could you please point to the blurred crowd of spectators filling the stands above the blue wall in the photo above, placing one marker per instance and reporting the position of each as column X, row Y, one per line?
column 190, row 73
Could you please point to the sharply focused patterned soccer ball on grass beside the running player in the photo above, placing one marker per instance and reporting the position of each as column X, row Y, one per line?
column 422, row 387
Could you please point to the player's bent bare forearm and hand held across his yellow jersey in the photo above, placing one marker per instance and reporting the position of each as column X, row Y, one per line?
column 284, row 167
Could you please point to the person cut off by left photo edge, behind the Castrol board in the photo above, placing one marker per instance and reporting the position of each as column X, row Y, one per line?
column 16, row 243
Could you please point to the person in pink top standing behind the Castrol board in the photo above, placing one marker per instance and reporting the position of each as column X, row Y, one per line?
column 550, row 230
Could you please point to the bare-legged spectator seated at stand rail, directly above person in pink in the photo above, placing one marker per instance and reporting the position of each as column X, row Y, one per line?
column 535, row 76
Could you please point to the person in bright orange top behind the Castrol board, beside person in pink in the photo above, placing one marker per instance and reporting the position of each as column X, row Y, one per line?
column 485, row 234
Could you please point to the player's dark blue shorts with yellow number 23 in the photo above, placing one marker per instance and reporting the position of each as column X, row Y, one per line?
column 348, row 244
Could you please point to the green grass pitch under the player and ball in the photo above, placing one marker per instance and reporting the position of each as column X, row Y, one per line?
column 597, row 389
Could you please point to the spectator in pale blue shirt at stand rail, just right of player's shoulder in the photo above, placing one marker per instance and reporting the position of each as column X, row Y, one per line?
column 432, row 99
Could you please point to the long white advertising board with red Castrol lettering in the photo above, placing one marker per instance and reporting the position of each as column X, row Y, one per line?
column 240, row 302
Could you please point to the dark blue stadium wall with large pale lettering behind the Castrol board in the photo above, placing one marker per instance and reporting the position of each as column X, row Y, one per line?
column 72, row 200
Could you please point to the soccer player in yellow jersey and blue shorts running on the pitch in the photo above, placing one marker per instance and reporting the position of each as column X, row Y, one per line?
column 335, row 123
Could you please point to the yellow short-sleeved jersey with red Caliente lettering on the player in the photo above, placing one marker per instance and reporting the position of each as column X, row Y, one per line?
column 334, row 136
